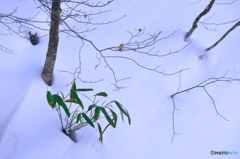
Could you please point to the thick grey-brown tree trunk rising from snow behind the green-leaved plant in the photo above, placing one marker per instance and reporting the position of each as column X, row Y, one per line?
column 47, row 73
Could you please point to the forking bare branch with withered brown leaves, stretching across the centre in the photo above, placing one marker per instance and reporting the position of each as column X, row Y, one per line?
column 130, row 45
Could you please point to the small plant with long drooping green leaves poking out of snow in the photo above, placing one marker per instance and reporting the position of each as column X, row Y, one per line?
column 75, row 115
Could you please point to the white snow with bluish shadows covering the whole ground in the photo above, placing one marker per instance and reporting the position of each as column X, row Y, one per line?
column 29, row 129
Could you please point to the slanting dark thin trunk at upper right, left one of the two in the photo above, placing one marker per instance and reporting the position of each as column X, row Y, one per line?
column 194, row 25
